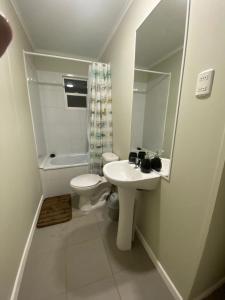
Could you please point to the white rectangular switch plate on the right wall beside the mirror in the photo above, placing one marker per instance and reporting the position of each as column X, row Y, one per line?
column 204, row 83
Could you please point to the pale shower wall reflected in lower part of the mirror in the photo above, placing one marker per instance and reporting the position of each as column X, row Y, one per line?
column 149, row 110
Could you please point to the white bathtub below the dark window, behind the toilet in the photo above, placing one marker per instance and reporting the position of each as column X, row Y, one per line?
column 57, row 172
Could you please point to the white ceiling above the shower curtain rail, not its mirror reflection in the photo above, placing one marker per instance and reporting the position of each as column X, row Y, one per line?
column 72, row 27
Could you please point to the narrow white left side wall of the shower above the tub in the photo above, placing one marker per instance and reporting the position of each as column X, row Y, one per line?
column 37, row 118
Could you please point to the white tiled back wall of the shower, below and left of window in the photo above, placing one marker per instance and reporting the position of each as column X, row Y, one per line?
column 65, row 129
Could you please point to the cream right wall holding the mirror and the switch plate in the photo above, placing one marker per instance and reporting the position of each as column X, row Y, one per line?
column 175, row 218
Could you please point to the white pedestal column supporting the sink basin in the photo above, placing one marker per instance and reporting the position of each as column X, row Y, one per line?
column 126, row 216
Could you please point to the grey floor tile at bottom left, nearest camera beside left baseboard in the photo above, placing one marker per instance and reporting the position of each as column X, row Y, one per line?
column 44, row 277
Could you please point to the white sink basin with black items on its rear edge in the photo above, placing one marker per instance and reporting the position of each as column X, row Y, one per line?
column 123, row 174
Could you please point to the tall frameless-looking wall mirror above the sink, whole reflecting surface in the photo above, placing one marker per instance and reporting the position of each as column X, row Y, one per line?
column 159, row 61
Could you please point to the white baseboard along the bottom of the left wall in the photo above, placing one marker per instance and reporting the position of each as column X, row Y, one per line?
column 20, row 271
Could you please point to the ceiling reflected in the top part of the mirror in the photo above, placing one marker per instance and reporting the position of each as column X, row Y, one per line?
column 162, row 33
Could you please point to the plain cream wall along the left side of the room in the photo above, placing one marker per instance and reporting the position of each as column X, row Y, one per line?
column 20, row 187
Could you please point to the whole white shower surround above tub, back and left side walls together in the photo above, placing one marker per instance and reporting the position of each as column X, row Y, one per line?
column 58, row 129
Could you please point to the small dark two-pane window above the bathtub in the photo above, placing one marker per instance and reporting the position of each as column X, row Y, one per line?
column 75, row 92
